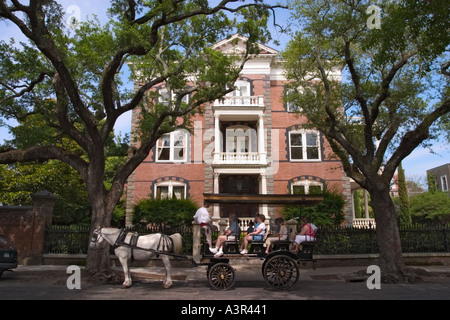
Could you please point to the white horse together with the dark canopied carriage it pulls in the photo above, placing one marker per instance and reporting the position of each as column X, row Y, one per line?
column 280, row 268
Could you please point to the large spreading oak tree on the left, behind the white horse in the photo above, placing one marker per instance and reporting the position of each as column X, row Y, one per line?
column 72, row 78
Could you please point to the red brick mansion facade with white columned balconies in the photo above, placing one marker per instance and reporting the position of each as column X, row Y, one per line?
column 276, row 160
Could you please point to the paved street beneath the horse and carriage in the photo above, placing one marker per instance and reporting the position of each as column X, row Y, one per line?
column 49, row 282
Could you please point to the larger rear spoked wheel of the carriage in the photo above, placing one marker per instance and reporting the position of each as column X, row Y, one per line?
column 281, row 272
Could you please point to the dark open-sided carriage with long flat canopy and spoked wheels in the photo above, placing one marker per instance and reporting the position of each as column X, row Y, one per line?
column 280, row 268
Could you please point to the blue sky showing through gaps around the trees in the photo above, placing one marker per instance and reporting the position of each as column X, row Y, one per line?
column 415, row 165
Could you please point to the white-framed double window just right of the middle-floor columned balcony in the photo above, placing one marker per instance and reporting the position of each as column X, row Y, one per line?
column 304, row 145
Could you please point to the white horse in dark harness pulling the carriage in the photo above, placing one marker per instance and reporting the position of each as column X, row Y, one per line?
column 124, row 250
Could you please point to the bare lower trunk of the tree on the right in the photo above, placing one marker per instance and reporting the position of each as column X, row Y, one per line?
column 393, row 268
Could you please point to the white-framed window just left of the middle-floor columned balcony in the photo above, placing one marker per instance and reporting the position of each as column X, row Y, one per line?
column 172, row 147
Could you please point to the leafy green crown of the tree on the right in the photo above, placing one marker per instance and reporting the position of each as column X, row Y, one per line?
column 368, row 89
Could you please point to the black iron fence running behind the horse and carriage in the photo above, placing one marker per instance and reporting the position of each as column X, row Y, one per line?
column 330, row 240
